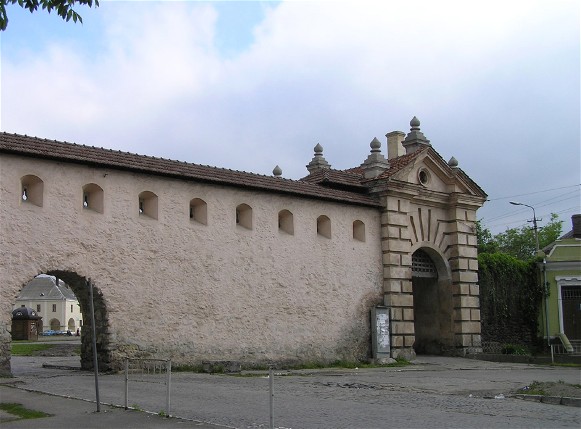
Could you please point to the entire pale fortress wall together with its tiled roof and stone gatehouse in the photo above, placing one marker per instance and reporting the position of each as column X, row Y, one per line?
column 197, row 263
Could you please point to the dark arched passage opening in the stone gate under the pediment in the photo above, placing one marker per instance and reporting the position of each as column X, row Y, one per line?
column 433, row 307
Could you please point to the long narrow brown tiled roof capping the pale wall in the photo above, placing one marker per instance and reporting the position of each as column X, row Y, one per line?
column 107, row 158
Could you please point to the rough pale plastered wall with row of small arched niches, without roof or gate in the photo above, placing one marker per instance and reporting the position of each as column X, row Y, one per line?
column 174, row 288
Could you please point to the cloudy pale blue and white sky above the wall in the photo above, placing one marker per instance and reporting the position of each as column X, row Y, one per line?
column 250, row 85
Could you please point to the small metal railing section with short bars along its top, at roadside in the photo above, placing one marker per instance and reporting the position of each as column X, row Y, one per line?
column 156, row 371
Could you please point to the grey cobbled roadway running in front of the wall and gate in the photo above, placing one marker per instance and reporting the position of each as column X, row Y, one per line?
column 434, row 392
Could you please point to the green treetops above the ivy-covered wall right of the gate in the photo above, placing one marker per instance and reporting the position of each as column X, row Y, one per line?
column 519, row 243
